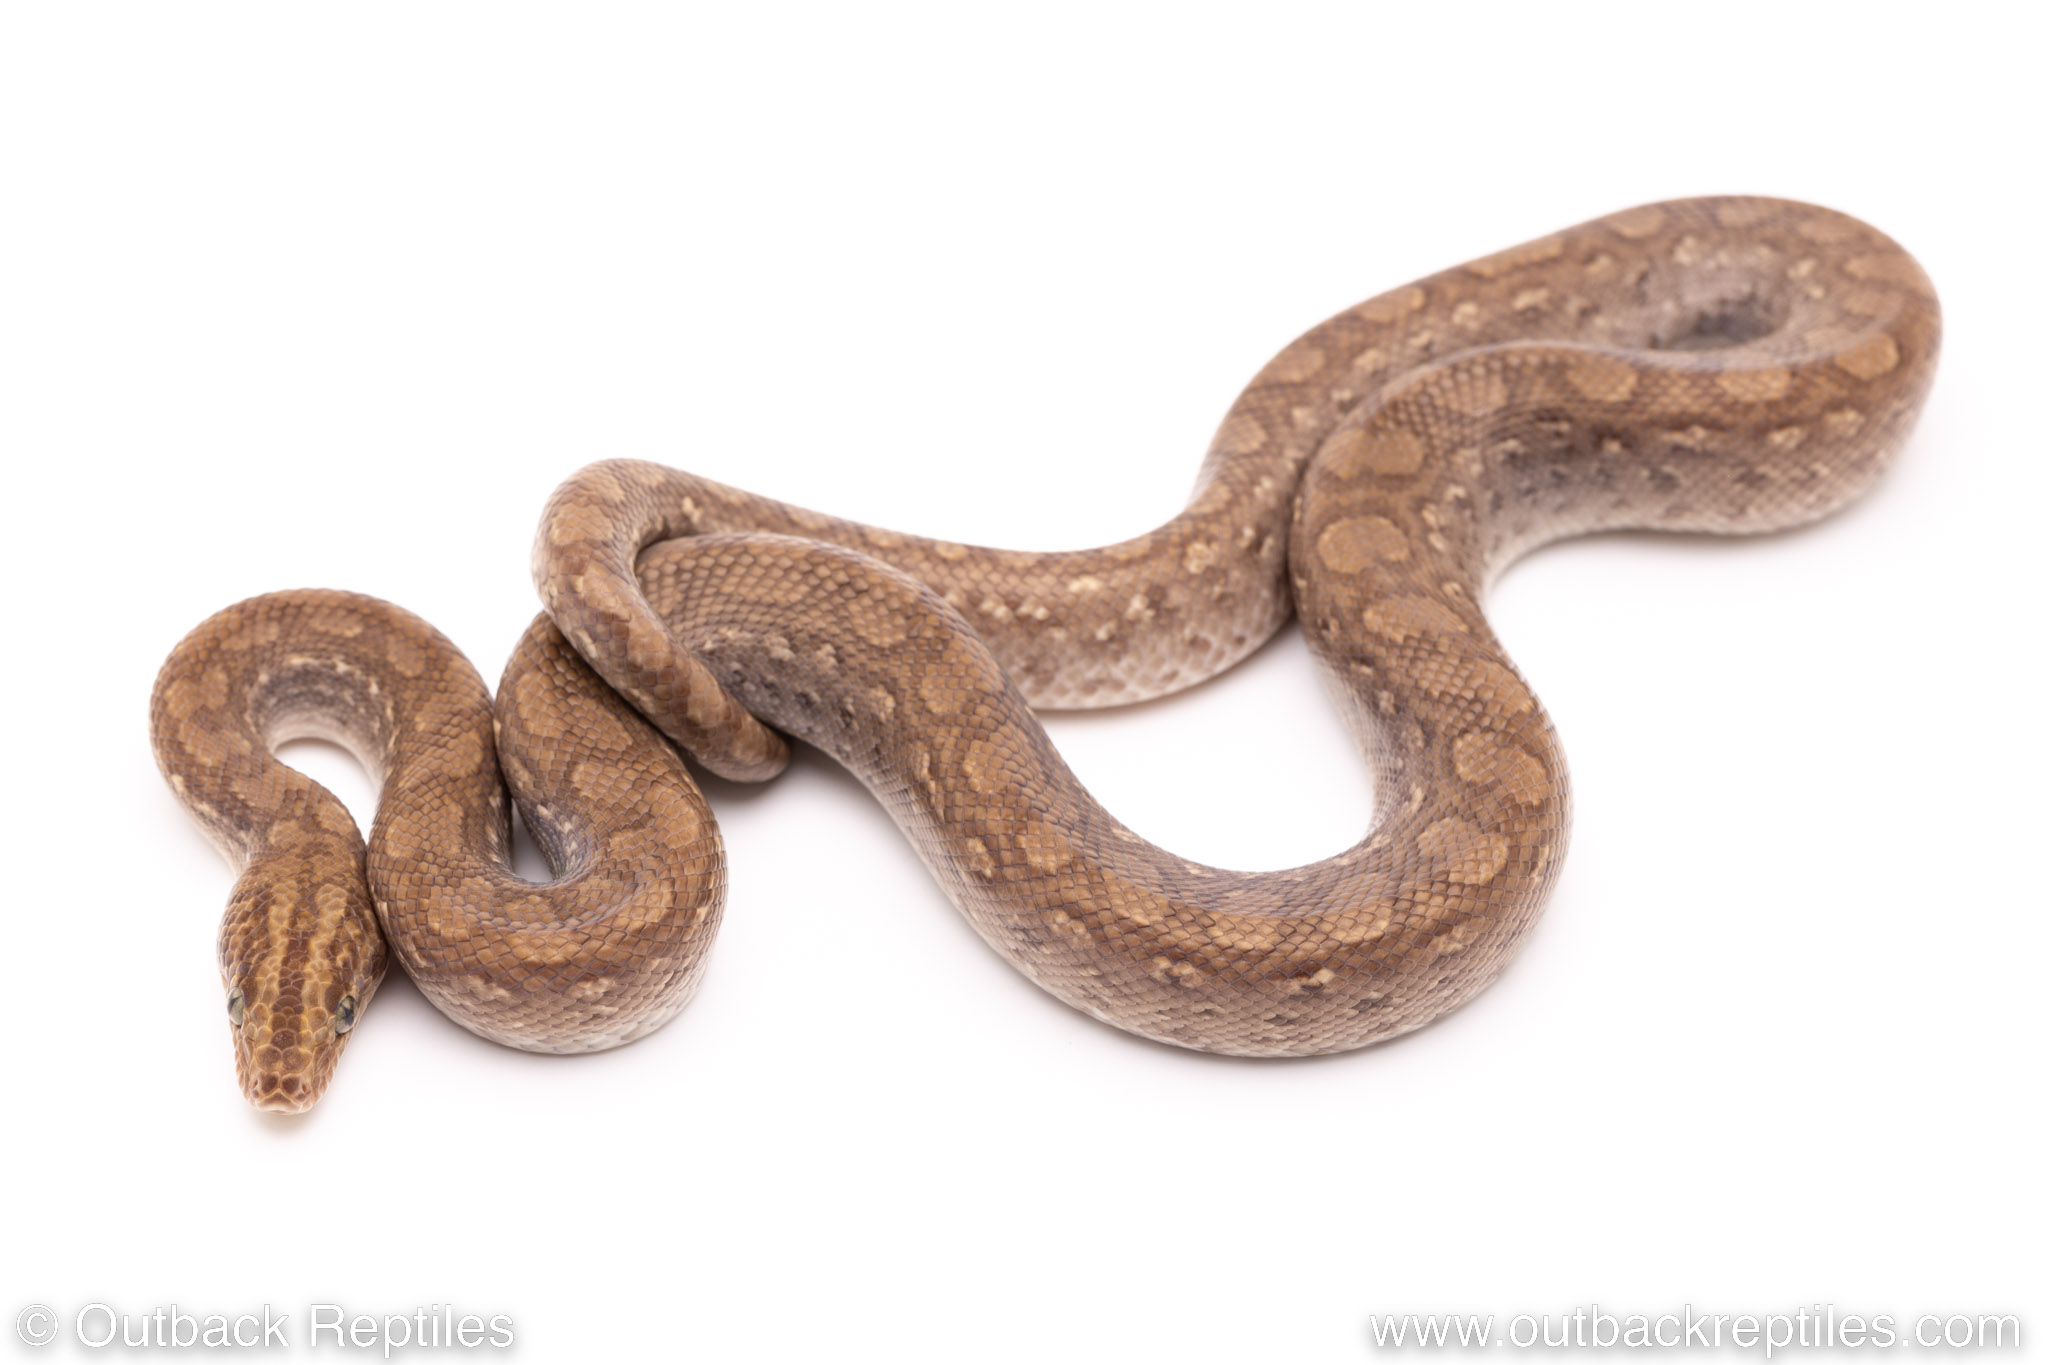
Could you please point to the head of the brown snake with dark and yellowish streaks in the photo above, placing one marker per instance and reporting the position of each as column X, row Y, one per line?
column 296, row 1000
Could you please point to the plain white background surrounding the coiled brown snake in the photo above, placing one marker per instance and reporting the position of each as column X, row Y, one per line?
column 335, row 296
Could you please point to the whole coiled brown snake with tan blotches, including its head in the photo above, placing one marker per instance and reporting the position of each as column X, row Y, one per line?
column 1723, row 365
